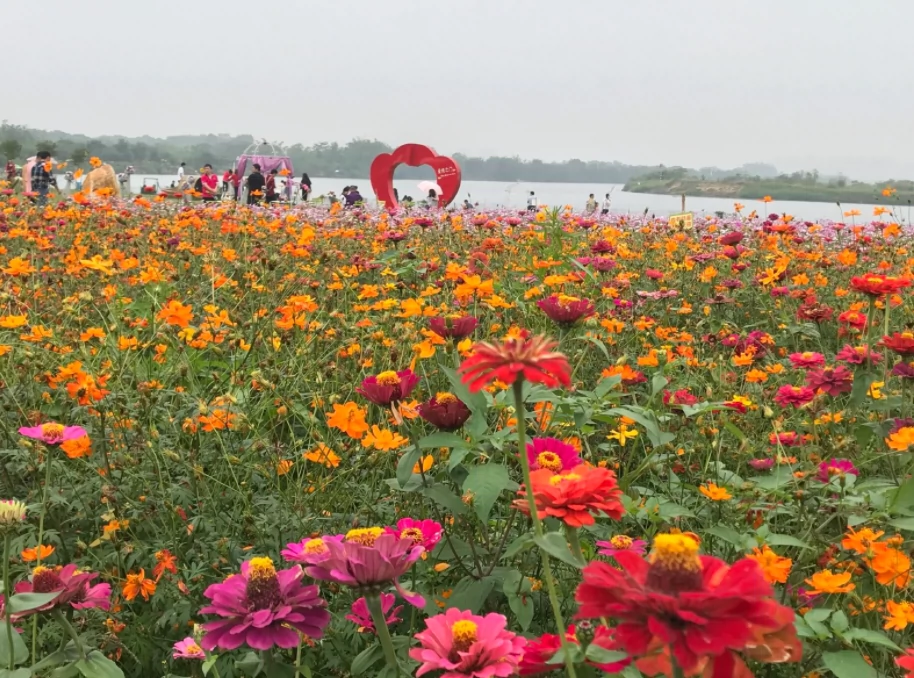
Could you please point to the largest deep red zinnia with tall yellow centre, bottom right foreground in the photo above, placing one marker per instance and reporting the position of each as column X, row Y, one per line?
column 699, row 607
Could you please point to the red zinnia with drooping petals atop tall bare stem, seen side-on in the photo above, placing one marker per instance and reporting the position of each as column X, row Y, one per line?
column 530, row 358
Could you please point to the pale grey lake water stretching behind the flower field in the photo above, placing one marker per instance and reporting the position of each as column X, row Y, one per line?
column 491, row 194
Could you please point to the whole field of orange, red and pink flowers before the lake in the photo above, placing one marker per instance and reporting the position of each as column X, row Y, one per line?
column 248, row 441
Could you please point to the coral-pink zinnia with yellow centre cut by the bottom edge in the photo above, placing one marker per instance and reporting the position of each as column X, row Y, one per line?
column 464, row 645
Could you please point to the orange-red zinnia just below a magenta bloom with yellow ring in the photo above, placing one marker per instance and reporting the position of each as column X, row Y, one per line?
column 574, row 497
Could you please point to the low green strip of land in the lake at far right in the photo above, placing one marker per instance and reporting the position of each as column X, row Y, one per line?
column 803, row 186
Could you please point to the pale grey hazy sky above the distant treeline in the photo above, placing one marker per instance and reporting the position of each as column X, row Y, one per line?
column 824, row 84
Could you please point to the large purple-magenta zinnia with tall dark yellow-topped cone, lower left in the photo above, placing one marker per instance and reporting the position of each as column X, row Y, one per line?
column 261, row 608
